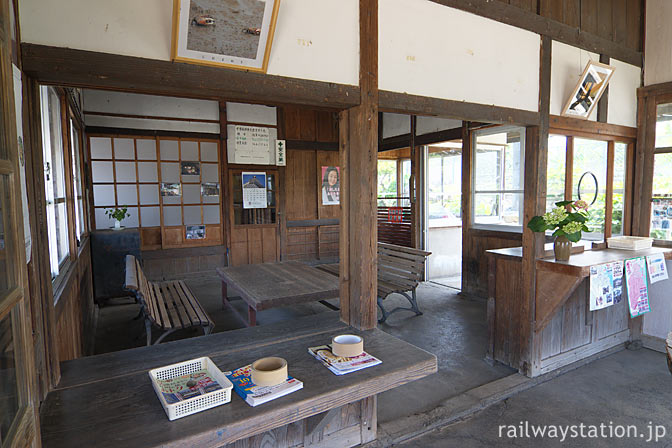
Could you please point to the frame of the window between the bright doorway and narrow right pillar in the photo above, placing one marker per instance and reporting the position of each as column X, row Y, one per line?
column 473, row 192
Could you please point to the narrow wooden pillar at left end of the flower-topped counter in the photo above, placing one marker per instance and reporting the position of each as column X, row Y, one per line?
column 536, row 158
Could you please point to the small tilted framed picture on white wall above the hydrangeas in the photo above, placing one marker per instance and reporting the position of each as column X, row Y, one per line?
column 588, row 91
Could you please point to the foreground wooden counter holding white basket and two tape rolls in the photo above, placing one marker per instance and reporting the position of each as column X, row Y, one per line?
column 108, row 400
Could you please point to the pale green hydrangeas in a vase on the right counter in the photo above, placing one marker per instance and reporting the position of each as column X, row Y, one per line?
column 567, row 220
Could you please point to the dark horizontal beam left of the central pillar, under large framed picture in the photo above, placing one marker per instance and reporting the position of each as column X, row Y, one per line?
column 88, row 69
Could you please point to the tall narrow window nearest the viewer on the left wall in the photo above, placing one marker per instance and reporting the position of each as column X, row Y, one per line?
column 54, row 172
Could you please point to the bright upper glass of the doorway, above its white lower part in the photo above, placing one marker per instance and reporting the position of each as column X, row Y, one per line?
column 444, row 188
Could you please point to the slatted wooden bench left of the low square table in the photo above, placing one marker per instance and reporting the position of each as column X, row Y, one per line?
column 169, row 305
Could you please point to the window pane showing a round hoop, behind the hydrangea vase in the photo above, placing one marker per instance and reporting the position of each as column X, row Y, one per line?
column 590, row 171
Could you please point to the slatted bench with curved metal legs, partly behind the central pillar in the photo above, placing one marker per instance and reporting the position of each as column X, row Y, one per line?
column 400, row 270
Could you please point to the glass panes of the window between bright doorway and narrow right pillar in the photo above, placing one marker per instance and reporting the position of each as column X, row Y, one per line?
column 498, row 170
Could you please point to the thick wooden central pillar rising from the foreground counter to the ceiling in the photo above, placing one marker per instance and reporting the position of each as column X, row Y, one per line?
column 358, row 149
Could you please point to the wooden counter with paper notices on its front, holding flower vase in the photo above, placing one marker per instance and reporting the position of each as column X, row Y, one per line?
column 563, row 328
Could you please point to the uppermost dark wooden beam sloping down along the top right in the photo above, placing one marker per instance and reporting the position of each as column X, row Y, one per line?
column 520, row 18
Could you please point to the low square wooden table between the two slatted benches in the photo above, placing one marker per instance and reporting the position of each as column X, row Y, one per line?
column 272, row 285
